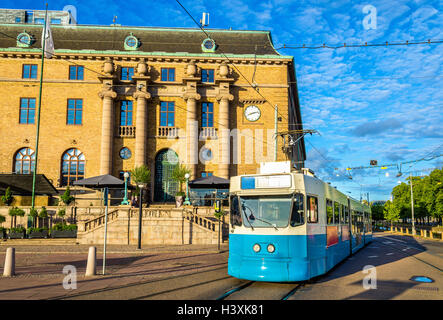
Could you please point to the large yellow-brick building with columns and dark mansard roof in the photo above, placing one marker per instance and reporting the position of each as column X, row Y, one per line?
column 117, row 97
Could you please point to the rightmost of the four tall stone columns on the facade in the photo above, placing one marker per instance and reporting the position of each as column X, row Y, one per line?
column 224, row 136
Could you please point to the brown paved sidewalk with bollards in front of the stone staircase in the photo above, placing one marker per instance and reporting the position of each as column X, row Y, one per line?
column 39, row 269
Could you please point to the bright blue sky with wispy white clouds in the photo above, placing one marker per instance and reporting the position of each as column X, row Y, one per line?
column 373, row 103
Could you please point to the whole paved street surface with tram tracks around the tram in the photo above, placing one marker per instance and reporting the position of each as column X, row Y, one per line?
column 394, row 261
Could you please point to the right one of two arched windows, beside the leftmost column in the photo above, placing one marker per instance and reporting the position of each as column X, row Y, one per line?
column 73, row 166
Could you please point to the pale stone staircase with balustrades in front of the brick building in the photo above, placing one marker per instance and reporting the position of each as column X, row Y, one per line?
column 160, row 225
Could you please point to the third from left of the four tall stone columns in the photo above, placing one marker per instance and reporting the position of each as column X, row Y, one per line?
column 192, row 132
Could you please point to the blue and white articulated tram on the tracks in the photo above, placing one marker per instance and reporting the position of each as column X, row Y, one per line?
column 291, row 227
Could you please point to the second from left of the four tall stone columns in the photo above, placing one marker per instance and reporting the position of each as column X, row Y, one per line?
column 141, row 127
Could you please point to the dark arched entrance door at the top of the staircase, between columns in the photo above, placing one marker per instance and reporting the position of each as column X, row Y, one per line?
column 165, row 188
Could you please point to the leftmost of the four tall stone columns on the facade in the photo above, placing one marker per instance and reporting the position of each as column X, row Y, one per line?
column 107, row 131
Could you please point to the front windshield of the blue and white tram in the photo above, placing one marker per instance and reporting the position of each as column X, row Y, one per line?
column 266, row 211
